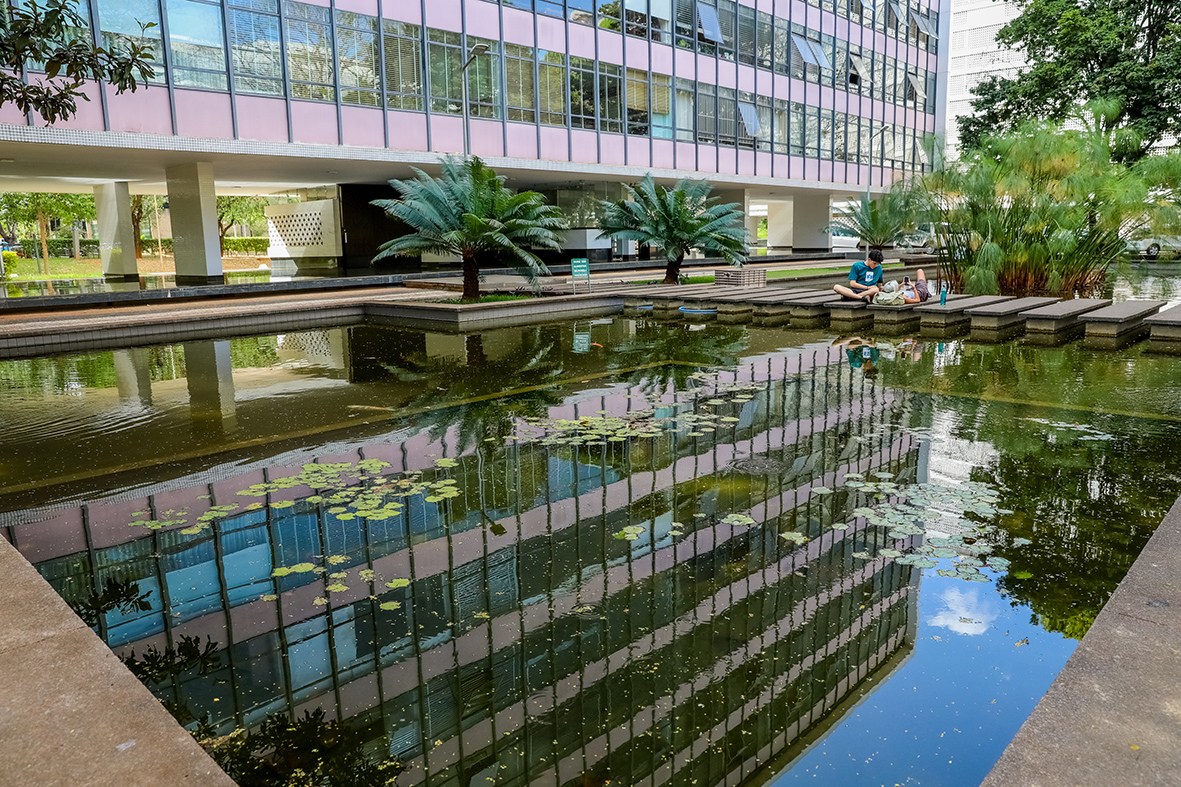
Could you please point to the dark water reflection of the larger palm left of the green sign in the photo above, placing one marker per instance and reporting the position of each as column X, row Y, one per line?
column 466, row 394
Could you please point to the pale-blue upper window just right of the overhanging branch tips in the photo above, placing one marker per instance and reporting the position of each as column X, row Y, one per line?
column 197, row 38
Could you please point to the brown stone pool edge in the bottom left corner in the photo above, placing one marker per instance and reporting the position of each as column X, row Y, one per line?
column 70, row 712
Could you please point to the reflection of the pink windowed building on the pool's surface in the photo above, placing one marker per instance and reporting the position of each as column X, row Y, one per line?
column 531, row 646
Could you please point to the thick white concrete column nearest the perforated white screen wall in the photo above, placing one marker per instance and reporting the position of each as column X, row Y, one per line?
column 193, row 206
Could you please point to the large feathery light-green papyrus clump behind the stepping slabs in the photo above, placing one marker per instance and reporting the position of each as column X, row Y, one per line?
column 1046, row 210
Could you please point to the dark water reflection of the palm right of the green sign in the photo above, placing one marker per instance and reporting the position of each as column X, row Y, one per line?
column 680, row 350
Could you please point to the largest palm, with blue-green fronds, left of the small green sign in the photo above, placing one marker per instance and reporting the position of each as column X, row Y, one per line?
column 469, row 212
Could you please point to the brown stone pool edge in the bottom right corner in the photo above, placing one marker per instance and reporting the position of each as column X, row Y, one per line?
column 1113, row 717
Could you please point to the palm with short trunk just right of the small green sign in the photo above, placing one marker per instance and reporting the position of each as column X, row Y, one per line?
column 677, row 220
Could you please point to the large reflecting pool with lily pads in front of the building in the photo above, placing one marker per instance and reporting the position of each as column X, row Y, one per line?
column 606, row 552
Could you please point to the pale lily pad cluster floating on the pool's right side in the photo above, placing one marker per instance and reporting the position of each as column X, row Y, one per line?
column 906, row 511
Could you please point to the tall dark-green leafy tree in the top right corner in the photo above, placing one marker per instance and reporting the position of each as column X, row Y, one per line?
column 1127, row 51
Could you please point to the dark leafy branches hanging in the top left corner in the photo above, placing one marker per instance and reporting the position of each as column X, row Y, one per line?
column 55, row 38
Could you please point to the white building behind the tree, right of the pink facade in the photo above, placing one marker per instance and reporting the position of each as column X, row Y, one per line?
column 976, row 56
